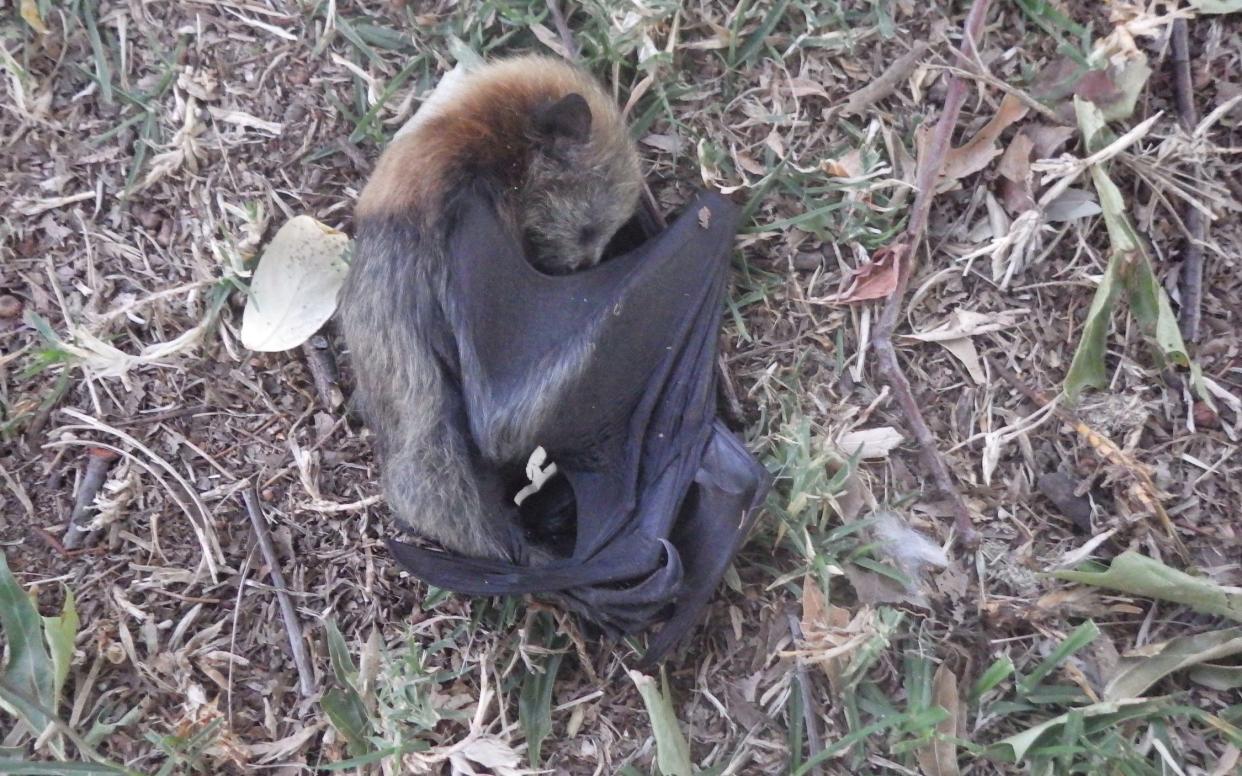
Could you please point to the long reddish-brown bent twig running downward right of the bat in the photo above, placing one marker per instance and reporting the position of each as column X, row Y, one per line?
column 907, row 253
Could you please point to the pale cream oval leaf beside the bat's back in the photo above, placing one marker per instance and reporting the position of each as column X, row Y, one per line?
column 295, row 287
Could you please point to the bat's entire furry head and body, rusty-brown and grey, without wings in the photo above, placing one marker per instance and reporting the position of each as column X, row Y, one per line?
column 440, row 451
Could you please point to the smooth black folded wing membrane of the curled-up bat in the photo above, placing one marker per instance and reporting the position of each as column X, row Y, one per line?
column 665, row 494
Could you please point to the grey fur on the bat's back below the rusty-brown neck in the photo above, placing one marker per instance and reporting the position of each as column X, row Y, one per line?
column 401, row 392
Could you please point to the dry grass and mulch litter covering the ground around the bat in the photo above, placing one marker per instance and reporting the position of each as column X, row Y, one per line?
column 152, row 148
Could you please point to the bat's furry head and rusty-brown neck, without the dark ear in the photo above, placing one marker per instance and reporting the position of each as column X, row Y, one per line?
column 487, row 133
